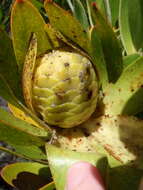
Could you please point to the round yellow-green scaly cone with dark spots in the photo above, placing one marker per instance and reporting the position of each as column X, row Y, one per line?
column 65, row 88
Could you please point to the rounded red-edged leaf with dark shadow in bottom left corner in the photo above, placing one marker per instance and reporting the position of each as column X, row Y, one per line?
column 29, row 176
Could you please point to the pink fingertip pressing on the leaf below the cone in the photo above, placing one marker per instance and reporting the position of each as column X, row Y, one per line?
column 83, row 175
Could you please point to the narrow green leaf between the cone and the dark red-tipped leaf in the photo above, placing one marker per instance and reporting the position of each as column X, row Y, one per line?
column 98, row 58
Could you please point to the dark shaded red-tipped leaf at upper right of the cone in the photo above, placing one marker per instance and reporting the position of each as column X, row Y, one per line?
column 110, row 44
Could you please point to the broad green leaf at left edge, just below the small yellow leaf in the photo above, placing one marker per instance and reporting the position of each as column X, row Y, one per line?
column 25, row 138
